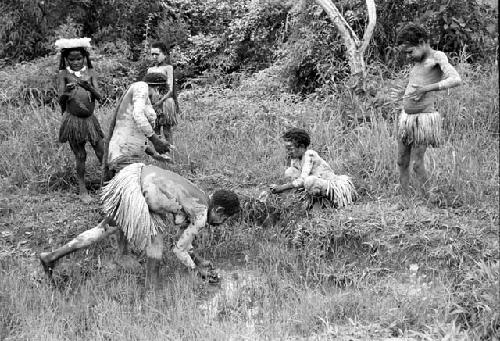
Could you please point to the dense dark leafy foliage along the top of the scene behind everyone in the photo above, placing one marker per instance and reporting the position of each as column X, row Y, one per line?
column 223, row 39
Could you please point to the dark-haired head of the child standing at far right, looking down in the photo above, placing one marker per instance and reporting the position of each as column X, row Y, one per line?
column 414, row 41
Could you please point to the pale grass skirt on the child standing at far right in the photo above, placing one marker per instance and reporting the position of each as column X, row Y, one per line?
column 420, row 129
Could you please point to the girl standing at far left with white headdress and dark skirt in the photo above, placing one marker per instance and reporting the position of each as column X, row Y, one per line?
column 78, row 91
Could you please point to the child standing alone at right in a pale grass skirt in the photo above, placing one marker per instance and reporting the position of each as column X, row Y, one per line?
column 420, row 123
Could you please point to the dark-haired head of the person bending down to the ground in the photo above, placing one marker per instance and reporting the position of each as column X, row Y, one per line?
column 223, row 204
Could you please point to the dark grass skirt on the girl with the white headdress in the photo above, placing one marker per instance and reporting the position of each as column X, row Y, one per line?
column 79, row 130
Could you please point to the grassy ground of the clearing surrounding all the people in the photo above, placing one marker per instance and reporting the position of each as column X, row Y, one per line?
column 368, row 272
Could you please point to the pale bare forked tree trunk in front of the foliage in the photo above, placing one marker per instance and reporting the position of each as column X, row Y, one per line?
column 355, row 48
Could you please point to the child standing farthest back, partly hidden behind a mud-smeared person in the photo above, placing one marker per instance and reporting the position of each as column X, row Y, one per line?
column 167, row 106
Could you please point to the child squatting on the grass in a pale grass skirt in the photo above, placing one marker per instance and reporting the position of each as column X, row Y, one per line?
column 309, row 171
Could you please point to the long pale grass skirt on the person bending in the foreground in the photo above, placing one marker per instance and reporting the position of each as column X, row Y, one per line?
column 123, row 201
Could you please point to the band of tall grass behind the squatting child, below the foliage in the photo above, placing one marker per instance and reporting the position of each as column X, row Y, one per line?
column 239, row 136
